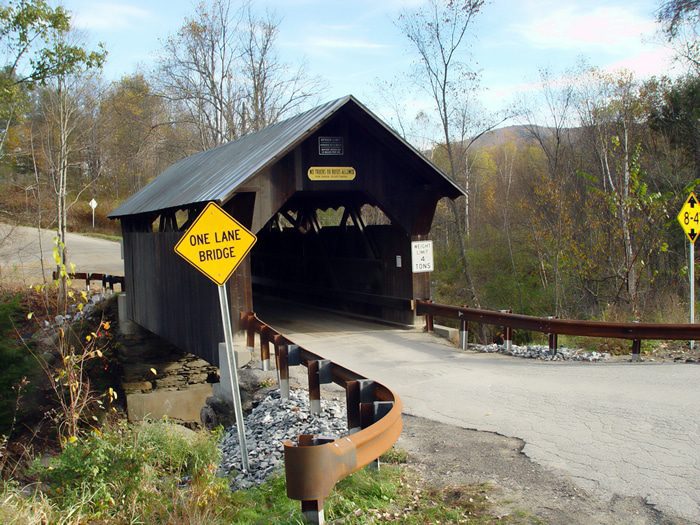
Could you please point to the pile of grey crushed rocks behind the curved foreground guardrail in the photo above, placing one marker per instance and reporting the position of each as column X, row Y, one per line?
column 270, row 422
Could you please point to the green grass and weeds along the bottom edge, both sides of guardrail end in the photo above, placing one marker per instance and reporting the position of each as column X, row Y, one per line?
column 159, row 473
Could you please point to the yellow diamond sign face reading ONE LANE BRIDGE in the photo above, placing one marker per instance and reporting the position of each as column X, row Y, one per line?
column 215, row 244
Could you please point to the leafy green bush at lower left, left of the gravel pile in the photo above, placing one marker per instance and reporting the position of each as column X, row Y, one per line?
column 128, row 467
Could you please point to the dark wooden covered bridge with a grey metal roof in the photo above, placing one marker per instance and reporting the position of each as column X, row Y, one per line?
column 335, row 197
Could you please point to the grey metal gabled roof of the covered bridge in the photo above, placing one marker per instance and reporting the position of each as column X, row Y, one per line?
column 214, row 175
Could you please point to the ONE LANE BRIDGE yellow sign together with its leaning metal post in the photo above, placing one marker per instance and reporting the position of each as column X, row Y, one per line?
column 216, row 244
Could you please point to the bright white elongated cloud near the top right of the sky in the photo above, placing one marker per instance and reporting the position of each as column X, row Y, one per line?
column 601, row 28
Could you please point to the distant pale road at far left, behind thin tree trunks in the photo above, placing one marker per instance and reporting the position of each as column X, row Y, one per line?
column 21, row 253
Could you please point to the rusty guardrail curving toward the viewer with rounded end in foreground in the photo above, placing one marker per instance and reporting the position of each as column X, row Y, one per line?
column 316, row 463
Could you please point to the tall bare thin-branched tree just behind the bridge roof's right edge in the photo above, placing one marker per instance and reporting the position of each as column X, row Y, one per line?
column 438, row 32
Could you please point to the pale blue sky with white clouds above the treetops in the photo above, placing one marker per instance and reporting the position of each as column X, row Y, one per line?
column 353, row 45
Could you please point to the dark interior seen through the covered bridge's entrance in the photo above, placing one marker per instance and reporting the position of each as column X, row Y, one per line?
column 336, row 251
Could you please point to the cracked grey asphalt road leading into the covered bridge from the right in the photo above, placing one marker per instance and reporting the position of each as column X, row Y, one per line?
column 614, row 428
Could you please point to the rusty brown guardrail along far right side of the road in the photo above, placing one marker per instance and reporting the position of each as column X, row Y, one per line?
column 635, row 331
